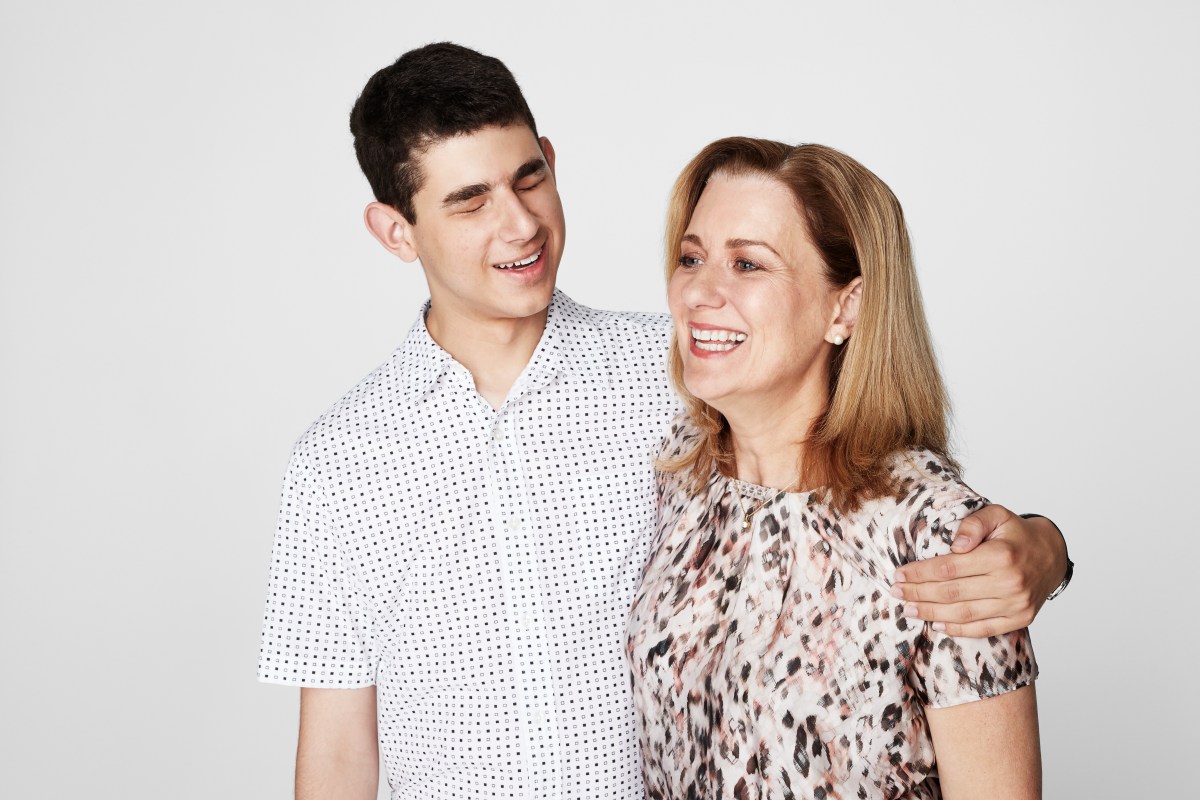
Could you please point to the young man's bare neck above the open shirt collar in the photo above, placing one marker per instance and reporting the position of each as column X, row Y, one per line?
column 495, row 352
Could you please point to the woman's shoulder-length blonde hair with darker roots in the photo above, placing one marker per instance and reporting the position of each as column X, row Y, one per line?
column 886, row 394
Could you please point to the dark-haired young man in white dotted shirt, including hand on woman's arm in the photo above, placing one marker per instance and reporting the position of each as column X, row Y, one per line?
column 461, row 534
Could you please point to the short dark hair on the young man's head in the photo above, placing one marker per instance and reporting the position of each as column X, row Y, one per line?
column 430, row 94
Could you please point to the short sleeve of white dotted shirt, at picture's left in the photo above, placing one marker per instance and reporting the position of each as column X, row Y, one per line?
column 316, row 630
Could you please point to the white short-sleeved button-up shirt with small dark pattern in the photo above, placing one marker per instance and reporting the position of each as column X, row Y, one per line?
column 477, row 566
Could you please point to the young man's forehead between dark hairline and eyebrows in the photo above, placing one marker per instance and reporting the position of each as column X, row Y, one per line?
column 485, row 157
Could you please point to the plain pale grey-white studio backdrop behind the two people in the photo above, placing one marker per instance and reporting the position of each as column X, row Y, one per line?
column 187, row 284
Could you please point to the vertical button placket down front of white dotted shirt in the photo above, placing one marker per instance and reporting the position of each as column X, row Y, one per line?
column 526, row 604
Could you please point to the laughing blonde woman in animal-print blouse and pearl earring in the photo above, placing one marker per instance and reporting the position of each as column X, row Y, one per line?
column 770, row 657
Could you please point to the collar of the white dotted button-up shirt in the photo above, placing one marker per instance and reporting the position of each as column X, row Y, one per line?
column 423, row 363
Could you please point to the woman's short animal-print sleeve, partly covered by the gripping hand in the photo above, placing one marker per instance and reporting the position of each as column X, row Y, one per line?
column 946, row 670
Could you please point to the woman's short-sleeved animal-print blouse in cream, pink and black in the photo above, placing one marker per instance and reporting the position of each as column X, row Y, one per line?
column 775, row 663
